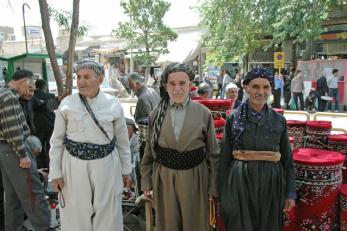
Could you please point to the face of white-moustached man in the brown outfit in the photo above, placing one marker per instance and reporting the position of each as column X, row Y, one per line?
column 178, row 86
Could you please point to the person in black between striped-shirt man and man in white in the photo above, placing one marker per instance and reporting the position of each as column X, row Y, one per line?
column 44, row 120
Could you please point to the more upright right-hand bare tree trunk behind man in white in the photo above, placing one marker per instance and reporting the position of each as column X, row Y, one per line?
column 72, row 44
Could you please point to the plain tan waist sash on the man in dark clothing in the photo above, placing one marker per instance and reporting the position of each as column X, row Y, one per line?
column 247, row 155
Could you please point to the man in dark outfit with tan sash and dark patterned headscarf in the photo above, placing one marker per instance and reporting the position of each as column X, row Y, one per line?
column 257, row 174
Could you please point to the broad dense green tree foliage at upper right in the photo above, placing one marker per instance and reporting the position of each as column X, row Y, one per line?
column 236, row 28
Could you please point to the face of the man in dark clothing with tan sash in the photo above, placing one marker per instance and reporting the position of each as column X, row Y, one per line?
column 258, row 89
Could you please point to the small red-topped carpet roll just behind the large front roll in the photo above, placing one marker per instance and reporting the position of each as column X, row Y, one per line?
column 317, row 133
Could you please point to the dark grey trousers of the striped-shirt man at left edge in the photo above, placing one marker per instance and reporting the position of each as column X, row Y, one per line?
column 23, row 193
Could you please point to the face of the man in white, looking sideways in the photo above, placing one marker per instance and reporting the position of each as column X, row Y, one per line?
column 88, row 82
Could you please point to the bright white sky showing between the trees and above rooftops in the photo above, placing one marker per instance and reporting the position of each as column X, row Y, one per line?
column 102, row 15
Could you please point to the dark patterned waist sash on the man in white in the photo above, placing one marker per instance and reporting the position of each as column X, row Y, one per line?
column 88, row 151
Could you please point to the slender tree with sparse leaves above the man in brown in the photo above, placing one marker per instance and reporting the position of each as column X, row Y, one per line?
column 146, row 29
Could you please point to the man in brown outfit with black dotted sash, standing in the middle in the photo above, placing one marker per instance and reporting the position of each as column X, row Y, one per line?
column 181, row 157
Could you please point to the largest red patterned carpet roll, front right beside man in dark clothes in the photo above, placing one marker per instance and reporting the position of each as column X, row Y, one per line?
column 318, row 181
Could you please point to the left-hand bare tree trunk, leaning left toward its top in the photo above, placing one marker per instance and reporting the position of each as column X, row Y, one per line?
column 50, row 46
